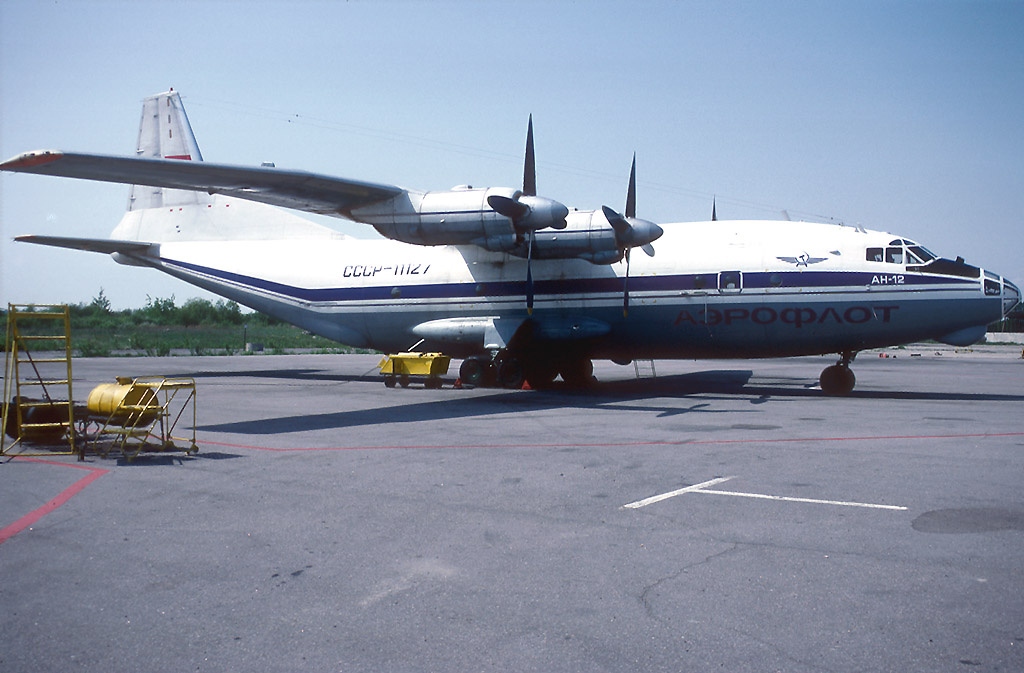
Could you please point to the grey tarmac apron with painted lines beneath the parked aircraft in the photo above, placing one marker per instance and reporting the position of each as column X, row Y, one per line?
column 722, row 516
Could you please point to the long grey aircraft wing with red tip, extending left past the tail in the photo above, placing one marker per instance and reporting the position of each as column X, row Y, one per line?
column 291, row 189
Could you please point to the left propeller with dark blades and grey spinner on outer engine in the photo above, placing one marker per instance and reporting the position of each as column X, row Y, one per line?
column 530, row 213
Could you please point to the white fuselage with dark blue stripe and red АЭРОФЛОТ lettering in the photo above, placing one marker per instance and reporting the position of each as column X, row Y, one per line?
column 714, row 289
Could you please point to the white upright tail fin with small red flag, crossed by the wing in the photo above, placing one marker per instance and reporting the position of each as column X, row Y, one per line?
column 164, row 133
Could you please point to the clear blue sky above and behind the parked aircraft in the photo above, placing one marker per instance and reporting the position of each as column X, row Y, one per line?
column 900, row 116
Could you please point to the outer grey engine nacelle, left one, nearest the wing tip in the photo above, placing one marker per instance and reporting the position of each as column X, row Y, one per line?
column 460, row 217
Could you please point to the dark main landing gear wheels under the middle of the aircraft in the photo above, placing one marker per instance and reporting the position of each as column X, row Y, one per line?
column 507, row 370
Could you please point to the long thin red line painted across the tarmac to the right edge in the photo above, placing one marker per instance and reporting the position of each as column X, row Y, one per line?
column 606, row 445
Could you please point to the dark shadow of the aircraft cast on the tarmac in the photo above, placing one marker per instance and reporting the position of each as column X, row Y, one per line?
column 652, row 395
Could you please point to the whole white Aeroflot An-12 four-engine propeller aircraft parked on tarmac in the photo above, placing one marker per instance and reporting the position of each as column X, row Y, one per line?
column 519, row 285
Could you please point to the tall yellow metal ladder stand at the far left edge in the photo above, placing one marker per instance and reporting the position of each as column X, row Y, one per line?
column 37, row 392
